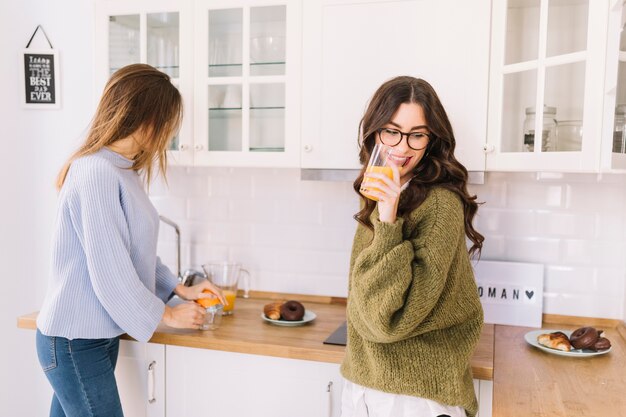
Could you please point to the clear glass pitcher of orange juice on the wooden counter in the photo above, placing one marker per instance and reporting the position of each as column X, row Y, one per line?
column 227, row 275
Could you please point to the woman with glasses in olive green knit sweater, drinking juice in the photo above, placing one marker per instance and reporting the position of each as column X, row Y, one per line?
column 414, row 316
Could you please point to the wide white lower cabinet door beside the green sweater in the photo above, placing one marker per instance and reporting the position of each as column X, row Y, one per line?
column 203, row 382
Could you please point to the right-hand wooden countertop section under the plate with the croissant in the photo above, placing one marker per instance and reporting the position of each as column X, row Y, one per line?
column 530, row 382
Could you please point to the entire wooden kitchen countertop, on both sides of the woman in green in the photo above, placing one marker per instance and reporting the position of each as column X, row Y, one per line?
column 526, row 380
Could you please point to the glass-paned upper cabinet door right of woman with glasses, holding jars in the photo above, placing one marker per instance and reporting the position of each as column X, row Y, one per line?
column 546, row 85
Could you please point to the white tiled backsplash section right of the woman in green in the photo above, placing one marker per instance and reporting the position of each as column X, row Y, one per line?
column 574, row 224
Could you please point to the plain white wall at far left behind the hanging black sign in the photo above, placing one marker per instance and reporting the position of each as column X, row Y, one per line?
column 34, row 144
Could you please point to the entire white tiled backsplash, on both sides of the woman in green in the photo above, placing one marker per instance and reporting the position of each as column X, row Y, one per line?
column 295, row 236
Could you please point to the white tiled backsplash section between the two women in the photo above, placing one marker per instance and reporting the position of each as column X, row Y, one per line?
column 293, row 236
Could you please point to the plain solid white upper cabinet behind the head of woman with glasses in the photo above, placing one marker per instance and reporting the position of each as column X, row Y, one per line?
column 351, row 47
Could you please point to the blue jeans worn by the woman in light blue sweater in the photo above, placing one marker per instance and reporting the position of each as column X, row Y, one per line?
column 81, row 372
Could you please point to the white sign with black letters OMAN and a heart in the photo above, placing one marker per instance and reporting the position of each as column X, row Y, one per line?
column 510, row 292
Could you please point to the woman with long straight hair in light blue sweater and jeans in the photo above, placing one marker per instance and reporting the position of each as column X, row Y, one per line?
column 106, row 279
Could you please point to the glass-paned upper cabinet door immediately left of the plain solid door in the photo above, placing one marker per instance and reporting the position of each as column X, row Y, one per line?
column 247, row 83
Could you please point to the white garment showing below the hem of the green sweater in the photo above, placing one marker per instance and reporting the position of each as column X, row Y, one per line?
column 359, row 401
